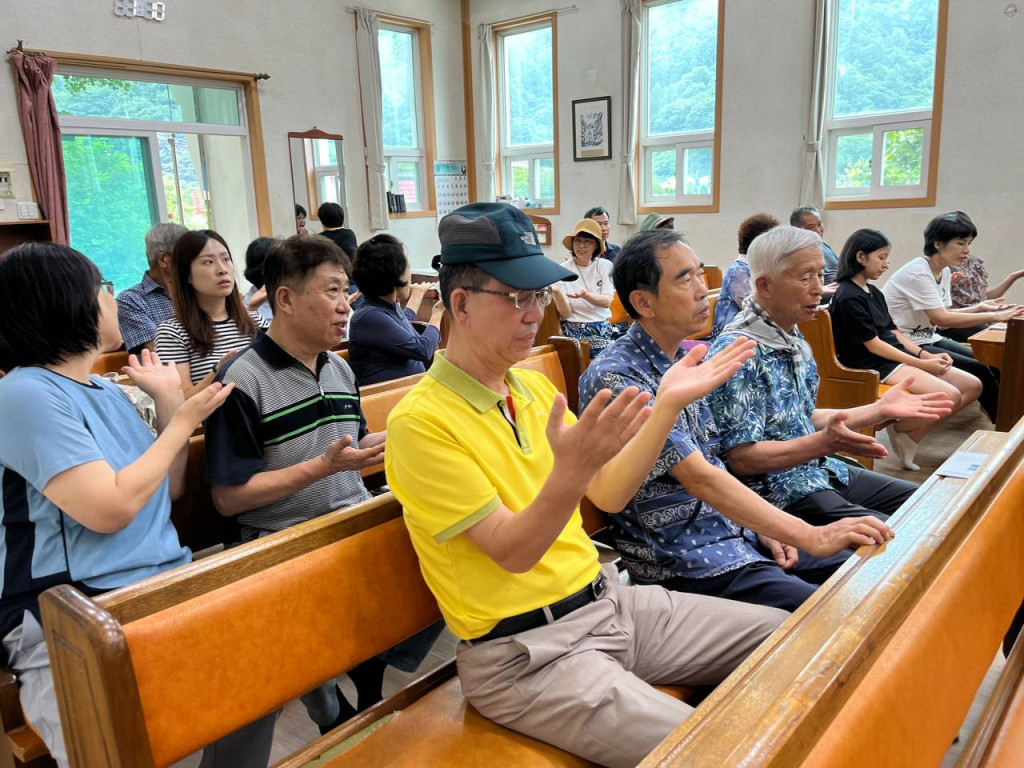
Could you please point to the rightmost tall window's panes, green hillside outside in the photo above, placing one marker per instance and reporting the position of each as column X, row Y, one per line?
column 881, row 92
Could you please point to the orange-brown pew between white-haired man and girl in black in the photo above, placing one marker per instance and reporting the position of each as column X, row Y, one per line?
column 840, row 388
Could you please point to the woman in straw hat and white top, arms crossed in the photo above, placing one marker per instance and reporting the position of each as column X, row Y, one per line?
column 584, row 305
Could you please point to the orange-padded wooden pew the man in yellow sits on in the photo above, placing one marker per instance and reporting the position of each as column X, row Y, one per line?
column 151, row 673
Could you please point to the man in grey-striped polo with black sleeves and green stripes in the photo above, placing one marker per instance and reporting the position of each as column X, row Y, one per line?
column 292, row 441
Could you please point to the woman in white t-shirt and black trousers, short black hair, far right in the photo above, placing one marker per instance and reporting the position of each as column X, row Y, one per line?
column 919, row 298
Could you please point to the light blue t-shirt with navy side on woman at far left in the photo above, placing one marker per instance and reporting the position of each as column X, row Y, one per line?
column 49, row 424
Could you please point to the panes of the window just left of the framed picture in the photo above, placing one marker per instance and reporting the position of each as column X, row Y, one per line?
column 527, row 77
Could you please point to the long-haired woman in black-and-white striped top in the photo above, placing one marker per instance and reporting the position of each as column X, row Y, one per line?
column 211, row 322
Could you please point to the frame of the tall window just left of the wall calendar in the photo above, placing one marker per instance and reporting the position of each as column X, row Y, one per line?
column 423, row 78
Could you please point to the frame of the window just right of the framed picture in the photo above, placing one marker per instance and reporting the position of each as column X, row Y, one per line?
column 647, row 146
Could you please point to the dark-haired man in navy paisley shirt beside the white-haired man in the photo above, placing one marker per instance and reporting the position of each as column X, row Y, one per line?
column 673, row 533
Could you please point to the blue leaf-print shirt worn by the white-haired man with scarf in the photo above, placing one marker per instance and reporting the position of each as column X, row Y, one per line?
column 764, row 402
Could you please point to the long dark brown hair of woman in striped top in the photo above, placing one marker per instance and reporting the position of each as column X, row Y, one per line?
column 192, row 317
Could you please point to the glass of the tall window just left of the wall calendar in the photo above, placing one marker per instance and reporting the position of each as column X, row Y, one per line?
column 402, row 113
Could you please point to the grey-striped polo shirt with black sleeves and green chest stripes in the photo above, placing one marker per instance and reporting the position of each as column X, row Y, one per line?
column 280, row 415
